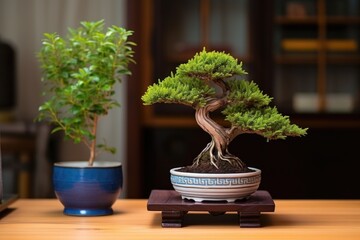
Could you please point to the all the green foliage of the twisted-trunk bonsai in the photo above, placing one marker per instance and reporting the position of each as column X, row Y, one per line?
column 216, row 75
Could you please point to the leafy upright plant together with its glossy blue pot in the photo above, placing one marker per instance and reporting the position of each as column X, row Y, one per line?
column 79, row 75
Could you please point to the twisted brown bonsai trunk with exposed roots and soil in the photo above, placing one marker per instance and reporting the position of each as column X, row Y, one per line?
column 216, row 157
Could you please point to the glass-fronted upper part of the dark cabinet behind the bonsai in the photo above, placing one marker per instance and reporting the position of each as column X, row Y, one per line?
column 305, row 54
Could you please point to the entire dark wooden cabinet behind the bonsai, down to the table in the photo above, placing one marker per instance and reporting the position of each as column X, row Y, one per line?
column 307, row 50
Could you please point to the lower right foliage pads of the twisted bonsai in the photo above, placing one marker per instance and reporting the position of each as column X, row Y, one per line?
column 249, row 110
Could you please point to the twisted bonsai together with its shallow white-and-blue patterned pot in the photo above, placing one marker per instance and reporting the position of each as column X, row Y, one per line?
column 211, row 82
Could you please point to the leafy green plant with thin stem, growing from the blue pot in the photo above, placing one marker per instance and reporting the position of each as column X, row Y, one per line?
column 79, row 74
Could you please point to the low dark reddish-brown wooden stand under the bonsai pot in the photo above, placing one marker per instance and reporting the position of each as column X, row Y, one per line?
column 173, row 207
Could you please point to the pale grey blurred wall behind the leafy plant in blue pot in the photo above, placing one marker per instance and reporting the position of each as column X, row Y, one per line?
column 22, row 24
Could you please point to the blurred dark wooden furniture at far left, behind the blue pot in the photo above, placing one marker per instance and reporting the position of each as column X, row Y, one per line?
column 27, row 144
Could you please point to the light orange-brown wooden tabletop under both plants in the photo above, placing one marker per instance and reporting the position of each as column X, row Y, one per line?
column 292, row 219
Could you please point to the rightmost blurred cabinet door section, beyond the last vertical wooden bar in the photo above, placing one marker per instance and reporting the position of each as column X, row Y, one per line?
column 343, row 56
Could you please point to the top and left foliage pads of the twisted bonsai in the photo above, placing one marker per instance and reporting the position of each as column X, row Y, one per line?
column 191, row 84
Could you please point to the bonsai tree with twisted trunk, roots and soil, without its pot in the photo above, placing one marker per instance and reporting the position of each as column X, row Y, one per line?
column 209, row 82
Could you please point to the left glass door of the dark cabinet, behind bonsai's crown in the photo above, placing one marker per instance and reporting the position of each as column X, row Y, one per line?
column 179, row 29
